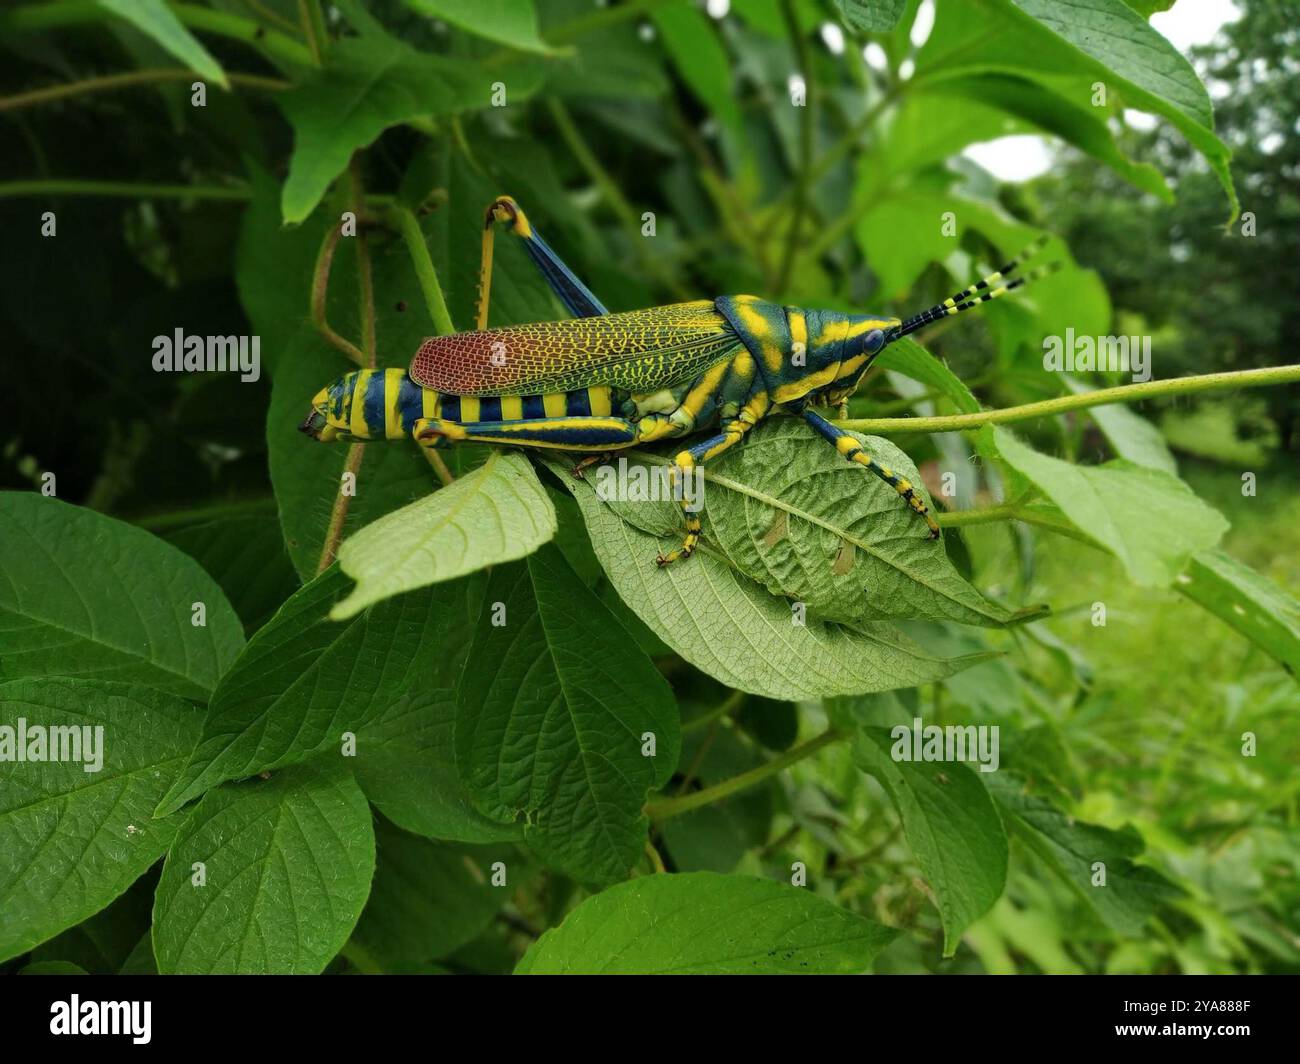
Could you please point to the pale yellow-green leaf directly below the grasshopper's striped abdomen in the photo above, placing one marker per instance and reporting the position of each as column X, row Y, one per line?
column 495, row 514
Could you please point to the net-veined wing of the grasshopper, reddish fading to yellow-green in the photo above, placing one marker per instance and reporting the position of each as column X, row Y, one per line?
column 638, row 352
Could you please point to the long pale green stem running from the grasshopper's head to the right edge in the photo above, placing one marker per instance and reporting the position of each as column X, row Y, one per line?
column 1126, row 393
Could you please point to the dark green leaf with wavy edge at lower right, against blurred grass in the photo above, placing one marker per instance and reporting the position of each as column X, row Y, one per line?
column 1073, row 849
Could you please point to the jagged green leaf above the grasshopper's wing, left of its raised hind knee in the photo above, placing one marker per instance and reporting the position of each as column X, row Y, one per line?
column 374, row 83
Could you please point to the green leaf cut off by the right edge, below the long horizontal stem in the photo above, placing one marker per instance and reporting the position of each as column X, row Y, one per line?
column 1249, row 602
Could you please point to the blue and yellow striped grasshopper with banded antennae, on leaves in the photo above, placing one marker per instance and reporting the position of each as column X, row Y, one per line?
column 605, row 382
